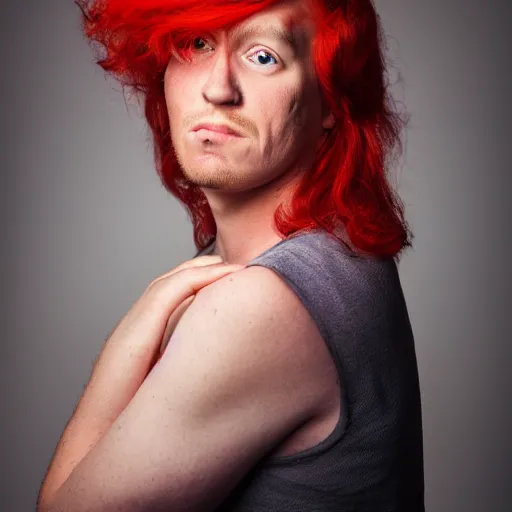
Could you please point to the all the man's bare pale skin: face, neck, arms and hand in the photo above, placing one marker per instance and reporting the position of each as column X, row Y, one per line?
column 244, row 366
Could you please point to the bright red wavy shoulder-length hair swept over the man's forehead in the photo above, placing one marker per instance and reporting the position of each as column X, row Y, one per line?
column 346, row 192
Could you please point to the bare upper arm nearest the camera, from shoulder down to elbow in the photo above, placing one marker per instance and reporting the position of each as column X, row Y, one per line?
column 234, row 381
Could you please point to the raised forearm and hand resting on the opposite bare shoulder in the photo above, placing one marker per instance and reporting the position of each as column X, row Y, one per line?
column 124, row 362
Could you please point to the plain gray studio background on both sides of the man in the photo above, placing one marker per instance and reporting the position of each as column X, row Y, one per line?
column 86, row 226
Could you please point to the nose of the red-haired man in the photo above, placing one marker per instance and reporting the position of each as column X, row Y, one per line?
column 221, row 87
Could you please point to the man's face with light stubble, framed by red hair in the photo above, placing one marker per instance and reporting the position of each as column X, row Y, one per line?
column 260, row 85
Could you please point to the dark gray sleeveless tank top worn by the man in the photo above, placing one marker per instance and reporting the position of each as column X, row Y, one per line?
column 373, row 459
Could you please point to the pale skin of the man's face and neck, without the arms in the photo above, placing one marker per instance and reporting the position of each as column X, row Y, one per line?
column 276, row 105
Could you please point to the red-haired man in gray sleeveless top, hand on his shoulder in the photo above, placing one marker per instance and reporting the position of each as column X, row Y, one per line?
column 292, row 383
